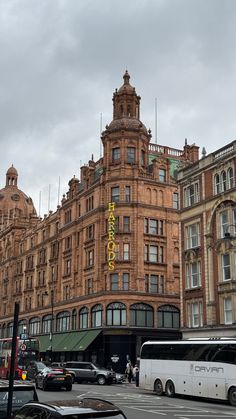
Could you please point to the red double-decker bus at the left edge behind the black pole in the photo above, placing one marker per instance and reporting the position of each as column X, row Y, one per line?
column 26, row 350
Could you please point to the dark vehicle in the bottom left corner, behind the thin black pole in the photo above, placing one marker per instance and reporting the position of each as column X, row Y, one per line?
column 23, row 392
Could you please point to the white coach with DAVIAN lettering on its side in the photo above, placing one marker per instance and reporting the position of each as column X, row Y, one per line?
column 202, row 368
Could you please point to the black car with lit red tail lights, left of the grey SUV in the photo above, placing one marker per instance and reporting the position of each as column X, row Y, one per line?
column 53, row 378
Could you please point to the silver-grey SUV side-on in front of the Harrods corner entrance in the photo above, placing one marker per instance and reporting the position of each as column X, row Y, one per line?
column 87, row 371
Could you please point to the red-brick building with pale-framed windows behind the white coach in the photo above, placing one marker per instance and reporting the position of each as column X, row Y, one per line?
column 208, row 243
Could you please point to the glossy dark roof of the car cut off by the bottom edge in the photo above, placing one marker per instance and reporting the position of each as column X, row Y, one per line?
column 80, row 406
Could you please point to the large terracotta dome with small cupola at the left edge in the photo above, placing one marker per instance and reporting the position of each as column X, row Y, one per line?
column 14, row 204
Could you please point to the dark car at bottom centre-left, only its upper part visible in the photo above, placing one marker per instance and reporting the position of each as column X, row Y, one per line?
column 68, row 409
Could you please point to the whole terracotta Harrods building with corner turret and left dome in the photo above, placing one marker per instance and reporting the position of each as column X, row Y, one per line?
column 101, row 274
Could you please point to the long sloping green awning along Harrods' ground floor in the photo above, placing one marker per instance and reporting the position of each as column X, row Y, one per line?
column 70, row 341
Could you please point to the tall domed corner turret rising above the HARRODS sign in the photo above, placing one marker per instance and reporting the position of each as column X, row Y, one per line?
column 126, row 138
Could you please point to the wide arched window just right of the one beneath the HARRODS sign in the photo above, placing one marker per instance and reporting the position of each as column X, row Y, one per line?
column 141, row 315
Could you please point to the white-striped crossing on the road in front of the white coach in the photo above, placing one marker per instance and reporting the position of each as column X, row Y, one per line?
column 152, row 404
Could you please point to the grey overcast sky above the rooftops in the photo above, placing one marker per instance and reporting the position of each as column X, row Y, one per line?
column 61, row 60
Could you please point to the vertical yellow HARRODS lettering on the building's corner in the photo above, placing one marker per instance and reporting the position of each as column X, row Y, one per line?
column 111, row 246
